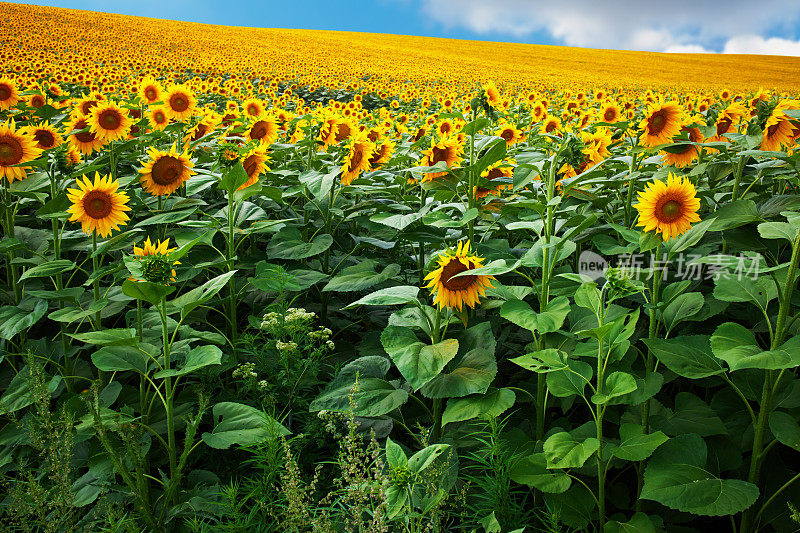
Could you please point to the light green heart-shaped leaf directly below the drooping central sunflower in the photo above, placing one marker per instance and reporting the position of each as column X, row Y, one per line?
column 418, row 362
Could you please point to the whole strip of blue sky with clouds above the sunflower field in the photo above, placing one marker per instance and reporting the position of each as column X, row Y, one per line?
column 732, row 26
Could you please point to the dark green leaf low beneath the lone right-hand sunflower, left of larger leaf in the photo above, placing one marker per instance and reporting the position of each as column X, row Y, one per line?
column 688, row 356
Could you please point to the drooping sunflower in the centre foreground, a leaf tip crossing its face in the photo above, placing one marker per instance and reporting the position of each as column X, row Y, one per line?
column 455, row 292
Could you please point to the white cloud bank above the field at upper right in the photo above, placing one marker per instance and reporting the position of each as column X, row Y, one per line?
column 695, row 26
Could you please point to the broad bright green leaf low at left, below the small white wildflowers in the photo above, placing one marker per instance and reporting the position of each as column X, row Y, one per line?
column 236, row 423
